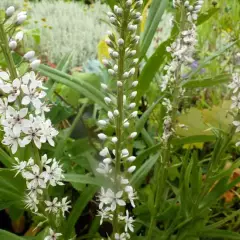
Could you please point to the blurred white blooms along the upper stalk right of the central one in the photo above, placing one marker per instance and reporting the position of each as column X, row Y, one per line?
column 181, row 52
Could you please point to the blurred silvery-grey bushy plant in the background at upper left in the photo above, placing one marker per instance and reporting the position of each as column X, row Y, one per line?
column 65, row 27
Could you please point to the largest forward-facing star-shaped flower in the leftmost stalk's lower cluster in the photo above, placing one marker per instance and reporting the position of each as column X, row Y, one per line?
column 35, row 177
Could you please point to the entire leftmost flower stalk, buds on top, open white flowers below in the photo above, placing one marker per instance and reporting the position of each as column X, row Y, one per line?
column 23, row 122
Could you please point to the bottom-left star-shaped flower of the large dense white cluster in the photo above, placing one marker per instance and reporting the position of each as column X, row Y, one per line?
column 12, row 140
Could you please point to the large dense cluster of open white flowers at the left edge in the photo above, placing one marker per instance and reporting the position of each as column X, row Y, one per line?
column 22, row 112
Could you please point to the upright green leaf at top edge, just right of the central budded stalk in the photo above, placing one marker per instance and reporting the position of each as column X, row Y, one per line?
column 154, row 17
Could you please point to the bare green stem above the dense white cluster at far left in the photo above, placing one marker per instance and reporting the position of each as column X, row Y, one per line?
column 7, row 53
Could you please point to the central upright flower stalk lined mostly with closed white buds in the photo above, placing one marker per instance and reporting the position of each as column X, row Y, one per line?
column 117, row 163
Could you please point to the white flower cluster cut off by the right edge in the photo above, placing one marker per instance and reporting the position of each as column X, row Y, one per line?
column 235, row 86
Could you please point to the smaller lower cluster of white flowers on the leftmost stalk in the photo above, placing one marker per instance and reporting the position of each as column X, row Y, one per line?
column 38, row 179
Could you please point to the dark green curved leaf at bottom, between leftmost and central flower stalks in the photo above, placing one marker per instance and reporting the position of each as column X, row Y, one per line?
column 87, row 194
